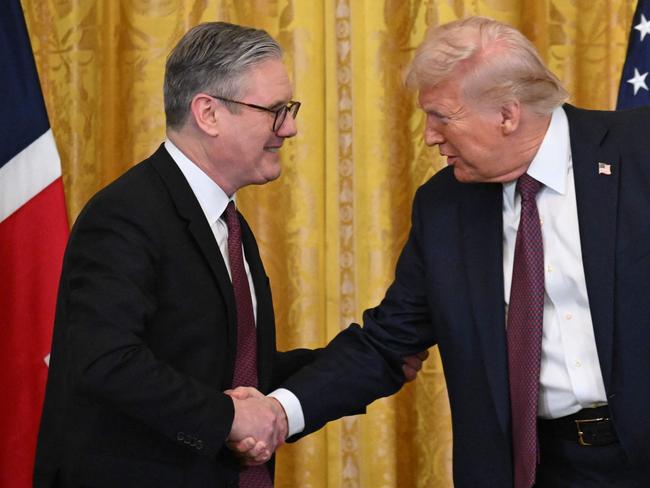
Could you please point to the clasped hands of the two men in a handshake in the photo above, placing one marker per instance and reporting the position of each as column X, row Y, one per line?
column 259, row 427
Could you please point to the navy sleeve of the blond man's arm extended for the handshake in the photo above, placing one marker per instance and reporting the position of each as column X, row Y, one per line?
column 361, row 365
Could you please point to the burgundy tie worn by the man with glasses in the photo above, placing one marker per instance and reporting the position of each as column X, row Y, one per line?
column 246, row 356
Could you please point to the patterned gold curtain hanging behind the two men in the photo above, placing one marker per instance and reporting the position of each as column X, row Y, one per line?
column 331, row 227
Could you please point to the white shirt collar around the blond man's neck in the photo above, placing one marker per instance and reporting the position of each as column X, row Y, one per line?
column 551, row 164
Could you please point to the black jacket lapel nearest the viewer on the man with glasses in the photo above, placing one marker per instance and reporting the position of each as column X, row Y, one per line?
column 189, row 209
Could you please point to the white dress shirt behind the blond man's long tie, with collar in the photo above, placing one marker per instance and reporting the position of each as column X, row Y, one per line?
column 570, row 376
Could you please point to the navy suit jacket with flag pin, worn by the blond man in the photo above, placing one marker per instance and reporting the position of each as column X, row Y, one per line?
column 448, row 290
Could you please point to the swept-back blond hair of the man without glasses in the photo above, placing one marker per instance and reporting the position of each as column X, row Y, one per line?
column 494, row 61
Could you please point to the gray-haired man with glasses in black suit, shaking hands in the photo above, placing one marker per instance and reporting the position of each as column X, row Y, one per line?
column 164, row 304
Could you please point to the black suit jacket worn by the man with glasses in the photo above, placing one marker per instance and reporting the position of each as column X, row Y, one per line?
column 144, row 342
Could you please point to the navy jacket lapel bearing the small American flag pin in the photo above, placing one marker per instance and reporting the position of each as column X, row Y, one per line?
column 597, row 198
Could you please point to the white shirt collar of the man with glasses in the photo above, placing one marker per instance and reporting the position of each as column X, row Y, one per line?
column 212, row 199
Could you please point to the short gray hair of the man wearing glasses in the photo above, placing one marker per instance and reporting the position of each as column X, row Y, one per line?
column 212, row 57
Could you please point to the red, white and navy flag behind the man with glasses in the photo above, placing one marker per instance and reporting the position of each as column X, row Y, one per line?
column 33, row 233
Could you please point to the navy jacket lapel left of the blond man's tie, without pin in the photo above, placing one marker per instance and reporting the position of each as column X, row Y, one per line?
column 482, row 227
